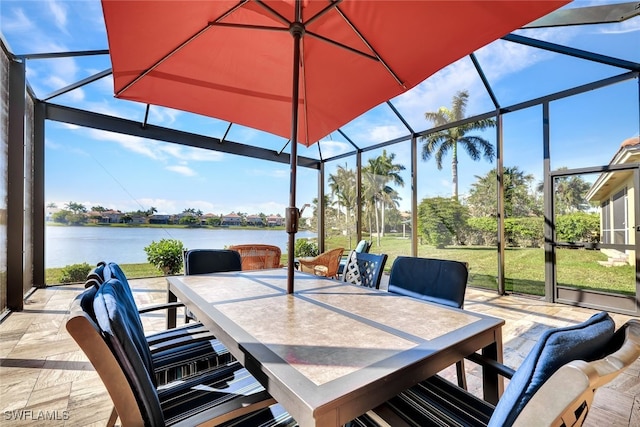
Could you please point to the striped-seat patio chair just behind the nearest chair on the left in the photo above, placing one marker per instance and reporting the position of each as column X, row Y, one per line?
column 177, row 353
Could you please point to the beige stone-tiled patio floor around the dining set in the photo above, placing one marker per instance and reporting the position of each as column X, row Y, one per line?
column 46, row 379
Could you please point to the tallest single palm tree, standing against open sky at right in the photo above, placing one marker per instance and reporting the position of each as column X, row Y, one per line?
column 440, row 143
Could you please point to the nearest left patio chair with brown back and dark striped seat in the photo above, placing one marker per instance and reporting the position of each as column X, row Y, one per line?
column 106, row 326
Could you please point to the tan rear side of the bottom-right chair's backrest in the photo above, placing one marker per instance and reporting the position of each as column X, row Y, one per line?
column 565, row 398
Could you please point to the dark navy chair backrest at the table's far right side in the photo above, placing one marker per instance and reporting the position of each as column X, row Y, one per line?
column 436, row 280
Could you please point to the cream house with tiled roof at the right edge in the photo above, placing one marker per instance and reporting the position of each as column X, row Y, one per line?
column 614, row 192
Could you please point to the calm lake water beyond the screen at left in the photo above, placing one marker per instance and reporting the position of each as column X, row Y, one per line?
column 73, row 245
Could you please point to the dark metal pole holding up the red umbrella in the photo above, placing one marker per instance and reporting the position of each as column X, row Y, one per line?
column 292, row 214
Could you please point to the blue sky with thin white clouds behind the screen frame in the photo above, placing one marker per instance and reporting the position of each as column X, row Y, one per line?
column 128, row 173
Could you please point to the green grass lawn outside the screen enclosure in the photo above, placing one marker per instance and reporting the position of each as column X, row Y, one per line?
column 524, row 268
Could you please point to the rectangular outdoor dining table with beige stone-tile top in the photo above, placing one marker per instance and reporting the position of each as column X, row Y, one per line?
column 331, row 351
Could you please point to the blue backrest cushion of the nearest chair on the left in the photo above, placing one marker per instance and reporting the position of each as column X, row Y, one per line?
column 120, row 323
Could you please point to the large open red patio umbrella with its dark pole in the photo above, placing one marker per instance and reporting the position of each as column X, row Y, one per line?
column 246, row 61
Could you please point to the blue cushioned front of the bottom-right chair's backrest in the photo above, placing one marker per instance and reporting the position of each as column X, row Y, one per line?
column 556, row 347
